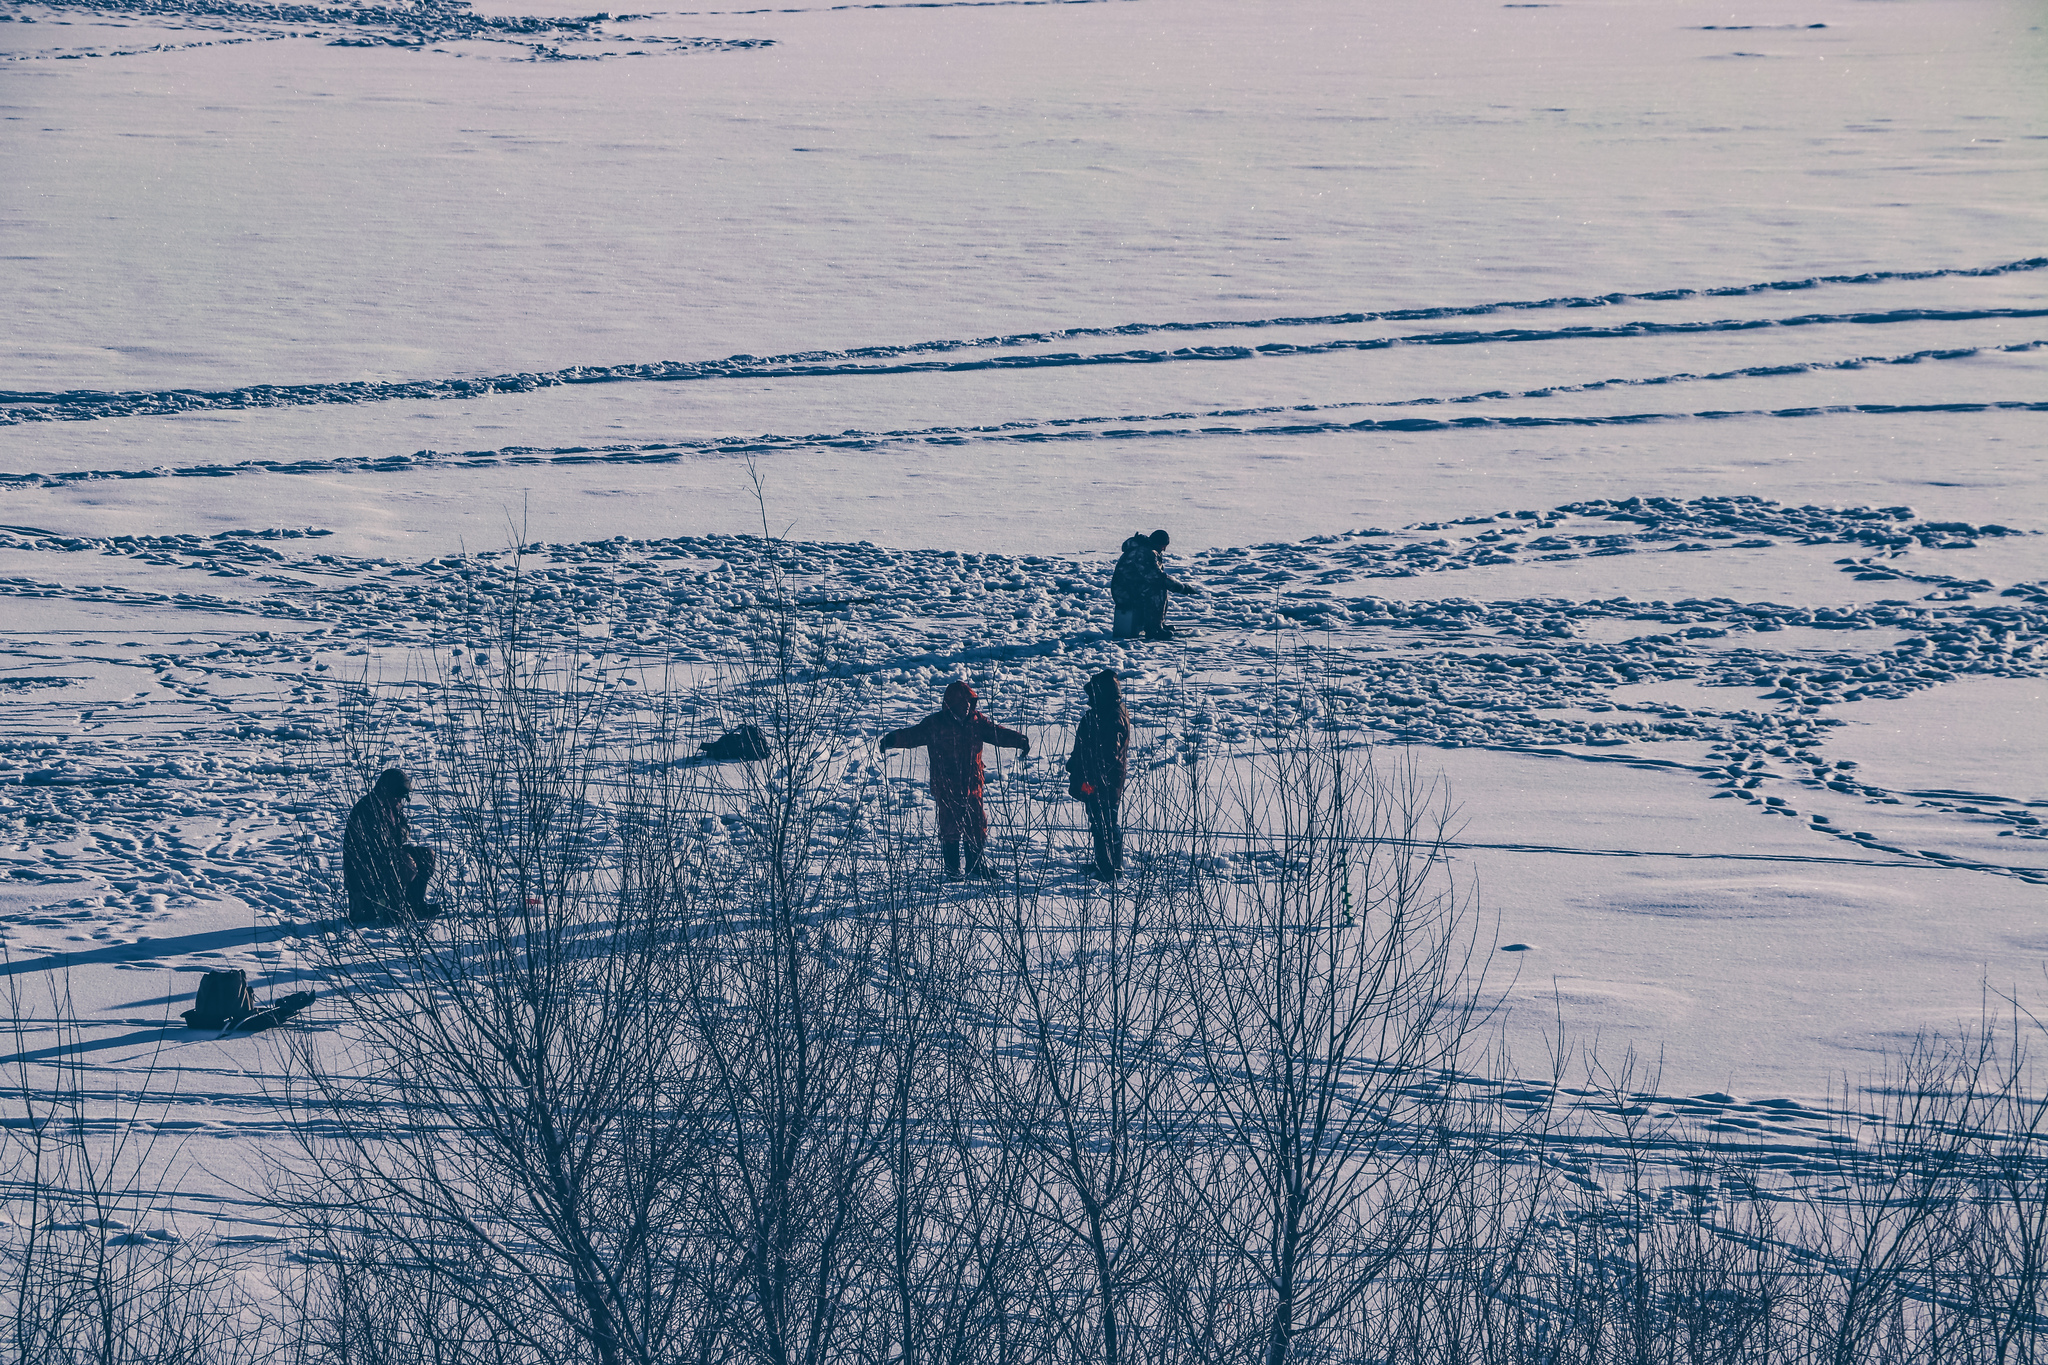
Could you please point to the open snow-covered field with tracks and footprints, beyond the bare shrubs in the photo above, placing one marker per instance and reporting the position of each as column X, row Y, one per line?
column 1633, row 408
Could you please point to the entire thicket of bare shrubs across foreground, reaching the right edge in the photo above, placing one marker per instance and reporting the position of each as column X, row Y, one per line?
column 701, row 1065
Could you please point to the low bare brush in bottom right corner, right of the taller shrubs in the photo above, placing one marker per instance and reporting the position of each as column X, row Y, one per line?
column 1918, row 1239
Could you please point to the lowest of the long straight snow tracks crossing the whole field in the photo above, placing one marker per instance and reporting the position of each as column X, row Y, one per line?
column 673, row 451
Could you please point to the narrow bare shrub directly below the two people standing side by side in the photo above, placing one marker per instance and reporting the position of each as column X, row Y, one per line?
column 1089, row 1094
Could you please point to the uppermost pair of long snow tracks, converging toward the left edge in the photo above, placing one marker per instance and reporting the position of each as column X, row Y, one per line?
column 93, row 404
